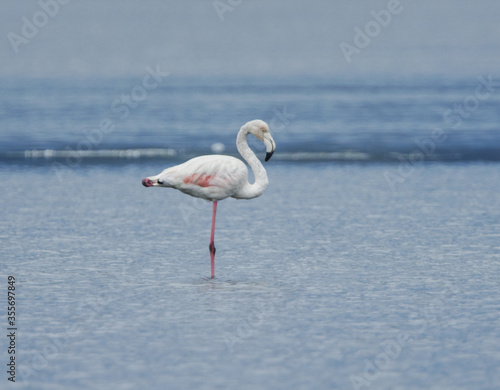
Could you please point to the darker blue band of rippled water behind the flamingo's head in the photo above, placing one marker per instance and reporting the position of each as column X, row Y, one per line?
column 310, row 117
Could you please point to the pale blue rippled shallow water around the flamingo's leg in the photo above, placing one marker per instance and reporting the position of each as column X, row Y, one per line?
column 332, row 279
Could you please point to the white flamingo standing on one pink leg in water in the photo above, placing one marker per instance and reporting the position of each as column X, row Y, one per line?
column 217, row 177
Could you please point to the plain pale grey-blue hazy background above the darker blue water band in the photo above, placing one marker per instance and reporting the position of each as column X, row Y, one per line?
column 120, row 37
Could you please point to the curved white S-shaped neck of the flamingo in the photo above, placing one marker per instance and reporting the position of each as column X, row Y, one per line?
column 249, row 191
